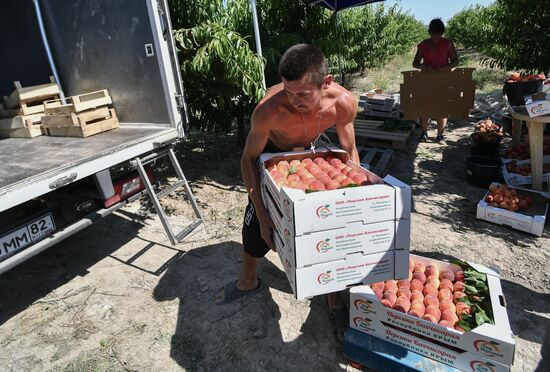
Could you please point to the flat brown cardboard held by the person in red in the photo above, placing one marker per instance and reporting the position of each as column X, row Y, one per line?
column 437, row 94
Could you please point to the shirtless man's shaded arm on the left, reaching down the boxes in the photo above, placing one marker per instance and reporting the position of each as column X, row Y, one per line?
column 255, row 143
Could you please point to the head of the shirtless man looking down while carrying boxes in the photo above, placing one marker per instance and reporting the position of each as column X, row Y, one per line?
column 304, row 71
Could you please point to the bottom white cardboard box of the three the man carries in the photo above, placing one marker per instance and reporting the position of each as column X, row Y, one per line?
column 337, row 275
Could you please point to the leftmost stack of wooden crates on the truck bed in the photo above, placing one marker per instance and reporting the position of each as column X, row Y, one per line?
column 22, row 111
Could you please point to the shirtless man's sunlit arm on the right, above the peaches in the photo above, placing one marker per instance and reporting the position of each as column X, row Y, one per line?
column 344, row 127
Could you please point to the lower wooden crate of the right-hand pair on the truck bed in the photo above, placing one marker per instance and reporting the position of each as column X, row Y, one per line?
column 86, row 125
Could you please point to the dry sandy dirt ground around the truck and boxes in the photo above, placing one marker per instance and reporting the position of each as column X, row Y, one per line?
column 118, row 297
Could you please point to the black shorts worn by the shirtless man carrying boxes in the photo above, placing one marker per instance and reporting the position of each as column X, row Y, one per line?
column 253, row 243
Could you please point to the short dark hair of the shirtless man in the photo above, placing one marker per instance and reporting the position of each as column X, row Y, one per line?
column 301, row 59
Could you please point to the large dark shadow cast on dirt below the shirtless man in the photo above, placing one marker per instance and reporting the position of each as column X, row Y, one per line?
column 245, row 334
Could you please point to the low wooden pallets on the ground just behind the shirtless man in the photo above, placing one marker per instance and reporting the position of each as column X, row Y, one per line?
column 367, row 134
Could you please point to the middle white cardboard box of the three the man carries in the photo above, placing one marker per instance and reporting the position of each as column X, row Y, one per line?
column 335, row 244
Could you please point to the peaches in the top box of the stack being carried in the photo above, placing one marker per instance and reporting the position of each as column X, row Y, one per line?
column 316, row 174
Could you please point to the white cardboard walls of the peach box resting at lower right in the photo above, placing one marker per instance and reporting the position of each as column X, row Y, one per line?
column 488, row 343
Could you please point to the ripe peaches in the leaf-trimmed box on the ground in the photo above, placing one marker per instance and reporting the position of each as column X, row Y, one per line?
column 428, row 293
